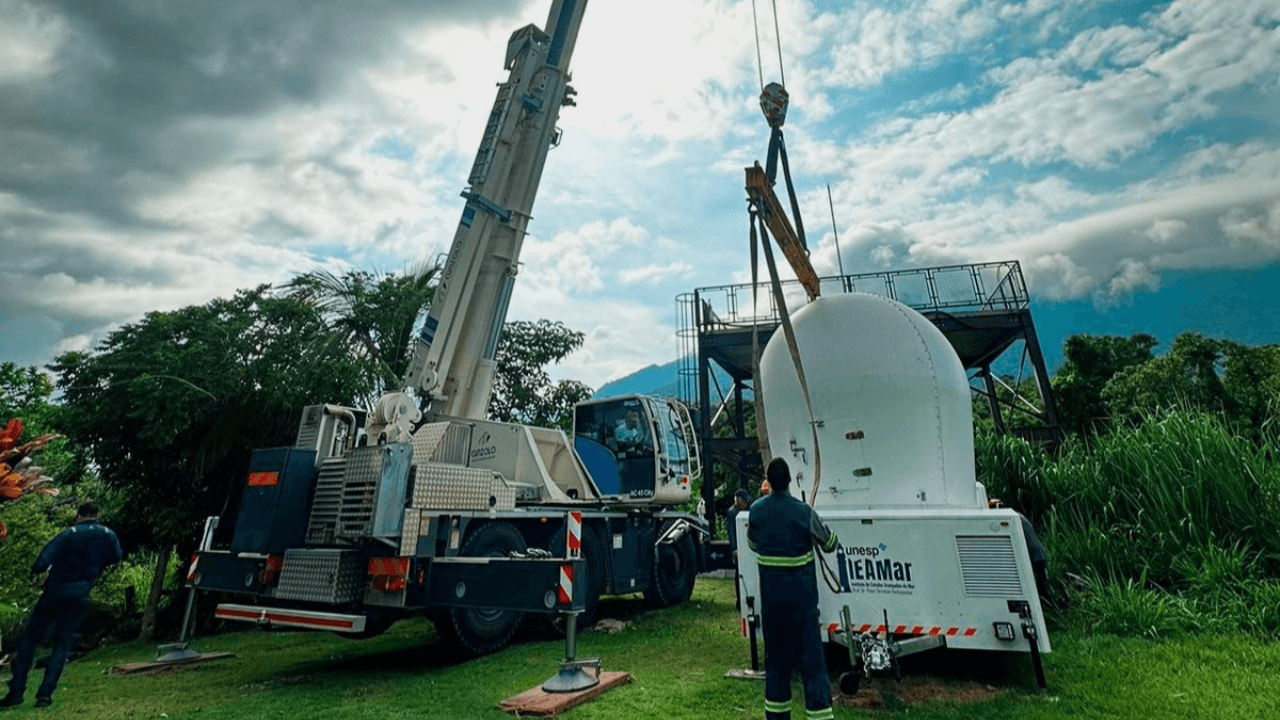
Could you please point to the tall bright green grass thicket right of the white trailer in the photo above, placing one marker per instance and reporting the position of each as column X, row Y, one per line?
column 1154, row 530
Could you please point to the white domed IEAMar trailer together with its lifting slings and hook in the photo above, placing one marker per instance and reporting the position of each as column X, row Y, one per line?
column 871, row 408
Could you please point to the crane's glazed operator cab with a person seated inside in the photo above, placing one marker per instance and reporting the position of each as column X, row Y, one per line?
column 637, row 448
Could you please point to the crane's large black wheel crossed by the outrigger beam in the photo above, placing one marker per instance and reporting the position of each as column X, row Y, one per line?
column 481, row 631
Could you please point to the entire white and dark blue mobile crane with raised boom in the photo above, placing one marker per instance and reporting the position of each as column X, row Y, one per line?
column 423, row 505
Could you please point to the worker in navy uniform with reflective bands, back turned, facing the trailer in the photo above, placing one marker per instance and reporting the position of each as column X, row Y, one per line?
column 784, row 534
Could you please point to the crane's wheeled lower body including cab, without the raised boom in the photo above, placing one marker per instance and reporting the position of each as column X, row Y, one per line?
column 339, row 536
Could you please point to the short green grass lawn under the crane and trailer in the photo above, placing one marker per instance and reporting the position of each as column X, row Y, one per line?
column 678, row 659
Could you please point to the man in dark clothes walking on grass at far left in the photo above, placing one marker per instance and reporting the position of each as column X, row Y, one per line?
column 74, row 562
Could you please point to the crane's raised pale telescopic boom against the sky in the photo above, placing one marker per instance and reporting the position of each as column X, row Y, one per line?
column 454, row 357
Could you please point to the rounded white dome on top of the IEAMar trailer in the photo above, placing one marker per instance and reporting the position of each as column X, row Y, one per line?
column 892, row 404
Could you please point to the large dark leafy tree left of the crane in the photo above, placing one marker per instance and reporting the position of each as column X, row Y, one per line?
column 171, row 408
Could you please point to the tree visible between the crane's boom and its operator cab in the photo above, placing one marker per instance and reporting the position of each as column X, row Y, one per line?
column 523, row 391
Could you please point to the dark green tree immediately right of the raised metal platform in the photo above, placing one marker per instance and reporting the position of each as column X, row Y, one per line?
column 1090, row 363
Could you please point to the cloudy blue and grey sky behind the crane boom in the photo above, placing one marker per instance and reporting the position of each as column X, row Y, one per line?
column 156, row 156
